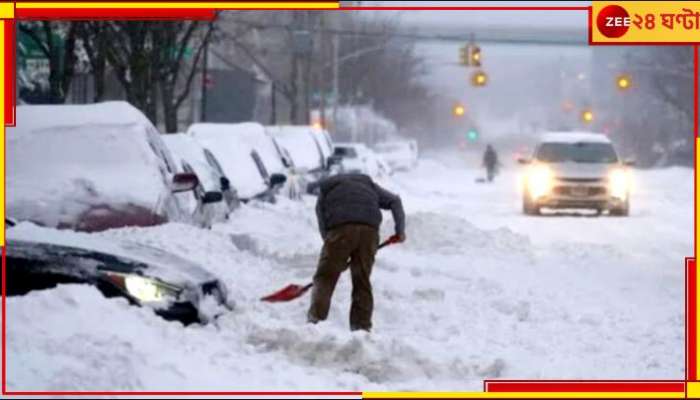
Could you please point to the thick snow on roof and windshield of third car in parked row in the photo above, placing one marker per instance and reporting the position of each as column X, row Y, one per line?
column 233, row 154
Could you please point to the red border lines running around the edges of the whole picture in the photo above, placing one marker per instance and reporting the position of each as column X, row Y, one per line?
column 503, row 386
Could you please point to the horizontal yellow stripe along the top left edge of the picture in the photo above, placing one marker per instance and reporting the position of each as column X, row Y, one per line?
column 265, row 5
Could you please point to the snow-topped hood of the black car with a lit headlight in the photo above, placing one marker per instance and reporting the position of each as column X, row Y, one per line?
column 139, row 258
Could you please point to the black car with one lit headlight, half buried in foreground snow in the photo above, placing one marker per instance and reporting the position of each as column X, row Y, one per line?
column 39, row 258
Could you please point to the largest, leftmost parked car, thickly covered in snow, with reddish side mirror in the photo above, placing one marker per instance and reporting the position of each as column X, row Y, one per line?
column 90, row 168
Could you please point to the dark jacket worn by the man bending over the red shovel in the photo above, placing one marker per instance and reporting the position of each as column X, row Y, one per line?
column 355, row 198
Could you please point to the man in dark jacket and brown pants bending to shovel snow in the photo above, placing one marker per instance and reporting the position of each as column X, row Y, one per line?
column 349, row 215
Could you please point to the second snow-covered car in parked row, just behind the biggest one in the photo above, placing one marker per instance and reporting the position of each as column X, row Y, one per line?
column 213, row 199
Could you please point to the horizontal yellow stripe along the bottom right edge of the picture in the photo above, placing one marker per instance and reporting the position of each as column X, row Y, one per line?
column 518, row 395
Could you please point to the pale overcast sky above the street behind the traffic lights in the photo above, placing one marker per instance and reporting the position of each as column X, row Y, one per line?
column 521, row 75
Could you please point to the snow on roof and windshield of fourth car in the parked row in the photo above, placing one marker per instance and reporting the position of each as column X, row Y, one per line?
column 300, row 143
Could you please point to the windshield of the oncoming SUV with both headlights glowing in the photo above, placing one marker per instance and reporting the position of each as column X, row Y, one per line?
column 581, row 152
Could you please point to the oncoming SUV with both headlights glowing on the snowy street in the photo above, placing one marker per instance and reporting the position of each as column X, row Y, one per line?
column 576, row 170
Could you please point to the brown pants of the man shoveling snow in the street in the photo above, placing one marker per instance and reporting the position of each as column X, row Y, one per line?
column 355, row 242
